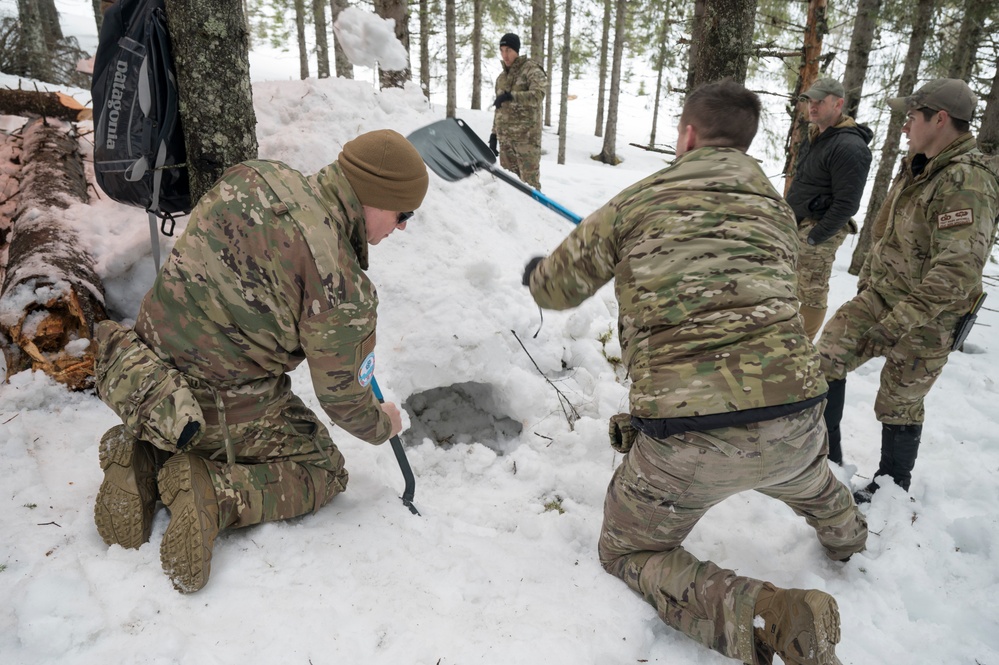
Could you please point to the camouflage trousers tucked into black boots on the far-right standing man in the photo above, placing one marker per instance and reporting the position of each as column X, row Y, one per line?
column 912, row 365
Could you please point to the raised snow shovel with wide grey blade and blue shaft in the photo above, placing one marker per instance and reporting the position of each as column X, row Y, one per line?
column 453, row 151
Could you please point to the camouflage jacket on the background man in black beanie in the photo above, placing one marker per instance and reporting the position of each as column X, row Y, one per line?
column 519, row 121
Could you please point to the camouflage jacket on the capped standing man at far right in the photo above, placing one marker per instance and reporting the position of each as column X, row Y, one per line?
column 940, row 227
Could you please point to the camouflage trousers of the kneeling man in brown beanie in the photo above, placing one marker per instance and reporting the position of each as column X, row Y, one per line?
column 286, row 463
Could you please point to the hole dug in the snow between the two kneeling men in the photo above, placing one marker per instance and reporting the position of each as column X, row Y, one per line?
column 461, row 413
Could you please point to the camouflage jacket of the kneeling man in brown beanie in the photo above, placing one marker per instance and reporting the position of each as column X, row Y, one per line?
column 270, row 272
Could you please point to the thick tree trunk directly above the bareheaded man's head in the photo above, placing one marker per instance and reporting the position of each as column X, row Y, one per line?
column 723, row 33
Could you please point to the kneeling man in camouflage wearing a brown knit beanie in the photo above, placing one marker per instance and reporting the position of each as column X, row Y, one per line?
column 269, row 272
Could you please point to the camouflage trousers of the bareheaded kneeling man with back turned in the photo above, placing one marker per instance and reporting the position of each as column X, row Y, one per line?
column 664, row 487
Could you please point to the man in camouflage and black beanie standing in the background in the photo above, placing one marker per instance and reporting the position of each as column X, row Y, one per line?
column 520, row 89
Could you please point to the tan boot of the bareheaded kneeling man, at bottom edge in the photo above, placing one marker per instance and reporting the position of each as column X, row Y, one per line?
column 801, row 626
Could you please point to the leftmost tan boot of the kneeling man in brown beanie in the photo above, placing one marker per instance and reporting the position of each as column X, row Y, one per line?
column 126, row 500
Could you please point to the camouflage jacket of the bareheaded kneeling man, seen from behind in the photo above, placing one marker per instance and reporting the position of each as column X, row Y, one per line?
column 703, row 257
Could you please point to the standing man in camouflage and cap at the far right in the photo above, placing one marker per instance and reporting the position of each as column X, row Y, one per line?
column 923, row 274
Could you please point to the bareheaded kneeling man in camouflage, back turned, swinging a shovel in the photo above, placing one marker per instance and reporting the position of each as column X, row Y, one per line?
column 726, row 390
